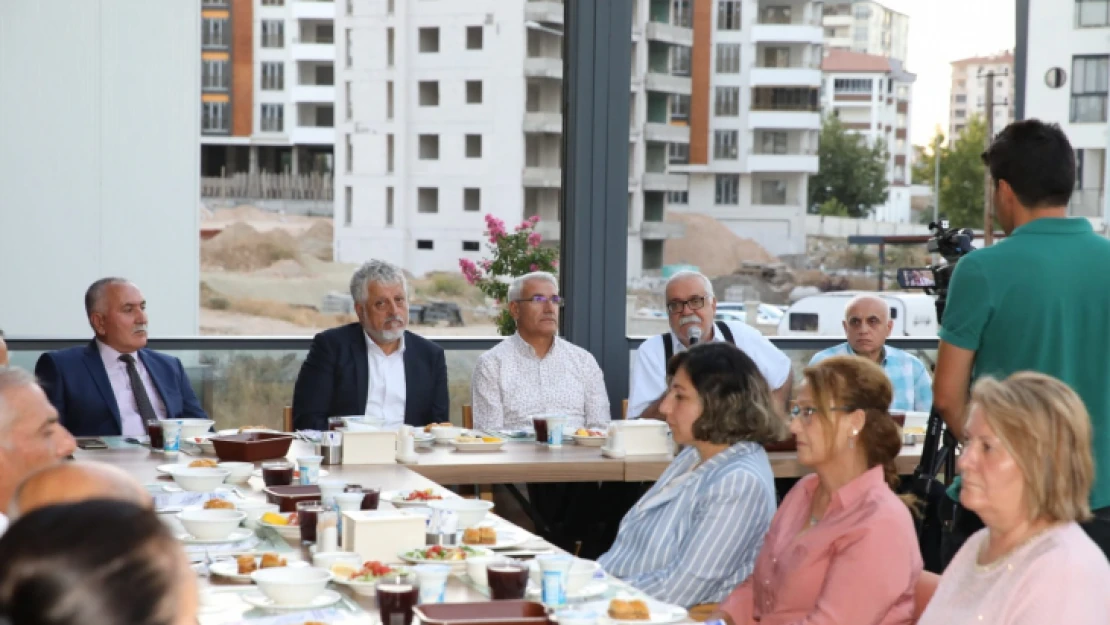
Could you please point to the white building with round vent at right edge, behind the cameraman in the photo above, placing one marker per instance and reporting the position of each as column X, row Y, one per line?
column 1067, row 82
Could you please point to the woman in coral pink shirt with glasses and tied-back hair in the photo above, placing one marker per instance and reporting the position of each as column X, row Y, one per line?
column 842, row 549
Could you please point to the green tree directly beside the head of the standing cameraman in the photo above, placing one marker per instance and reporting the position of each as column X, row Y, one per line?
column 962, row 175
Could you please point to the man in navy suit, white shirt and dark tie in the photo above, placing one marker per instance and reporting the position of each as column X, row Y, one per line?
column 115, row 386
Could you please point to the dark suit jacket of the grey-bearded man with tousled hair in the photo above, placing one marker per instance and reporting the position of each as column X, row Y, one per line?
column 336, row 377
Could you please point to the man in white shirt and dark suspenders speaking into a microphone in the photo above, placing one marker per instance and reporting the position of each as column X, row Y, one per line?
column 691, row 309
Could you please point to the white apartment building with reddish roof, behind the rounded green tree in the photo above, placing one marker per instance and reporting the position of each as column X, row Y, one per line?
column 872, row 96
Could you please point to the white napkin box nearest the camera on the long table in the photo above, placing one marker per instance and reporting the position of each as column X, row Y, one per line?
column 382, row 535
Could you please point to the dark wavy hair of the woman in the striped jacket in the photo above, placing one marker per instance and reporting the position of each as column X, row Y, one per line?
column 736, row 401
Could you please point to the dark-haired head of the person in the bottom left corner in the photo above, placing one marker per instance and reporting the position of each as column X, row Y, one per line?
column 97, row 562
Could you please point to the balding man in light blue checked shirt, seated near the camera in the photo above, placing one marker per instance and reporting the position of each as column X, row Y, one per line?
column 867, row 326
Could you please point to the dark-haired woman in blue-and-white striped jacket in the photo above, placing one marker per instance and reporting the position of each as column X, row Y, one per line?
column 697, row 533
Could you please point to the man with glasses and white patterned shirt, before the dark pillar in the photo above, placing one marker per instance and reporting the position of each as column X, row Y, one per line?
column 534, row 371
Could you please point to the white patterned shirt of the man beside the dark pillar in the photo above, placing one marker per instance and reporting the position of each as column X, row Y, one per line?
column 511, row 384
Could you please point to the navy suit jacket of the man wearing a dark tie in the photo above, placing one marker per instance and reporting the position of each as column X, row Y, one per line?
column 77, row 385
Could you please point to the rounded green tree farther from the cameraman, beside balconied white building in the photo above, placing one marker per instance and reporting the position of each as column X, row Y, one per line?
column 851, row 172
